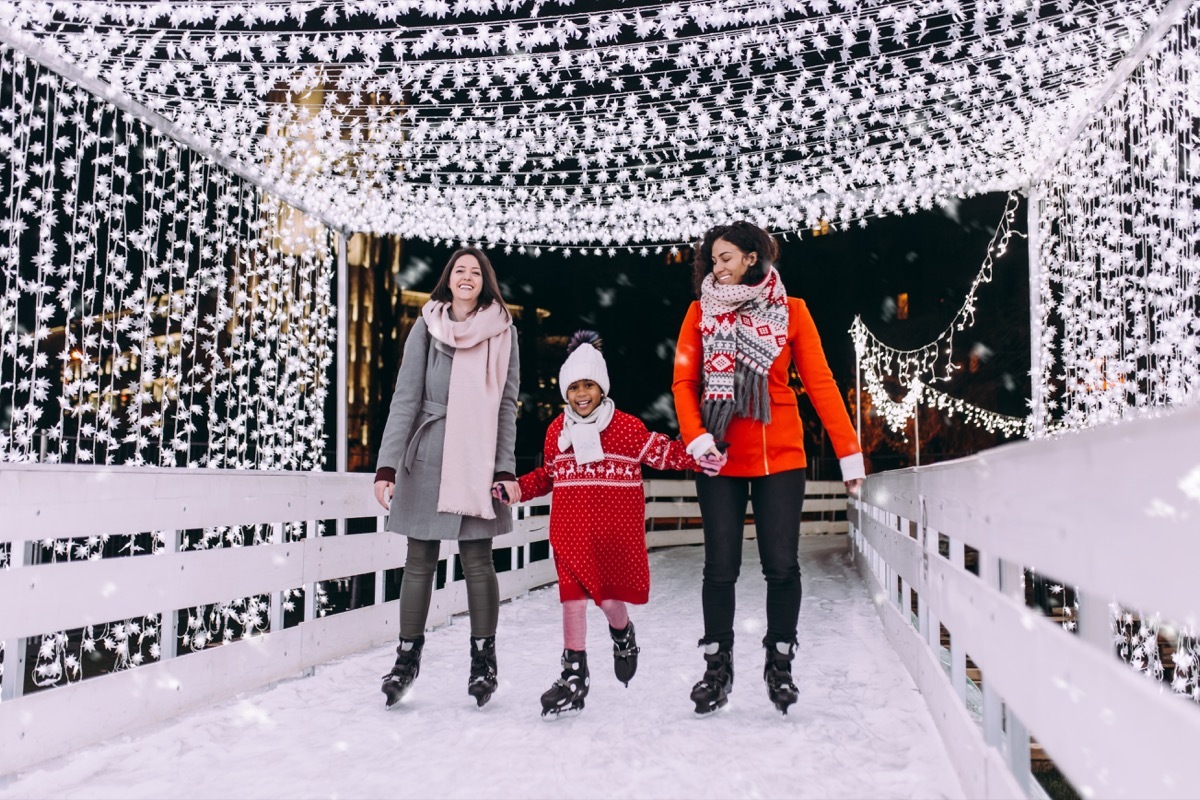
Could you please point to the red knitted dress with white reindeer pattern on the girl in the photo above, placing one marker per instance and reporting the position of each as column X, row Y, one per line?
column 598, row 516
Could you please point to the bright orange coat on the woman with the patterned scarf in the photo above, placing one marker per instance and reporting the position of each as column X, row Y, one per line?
column 758, row 449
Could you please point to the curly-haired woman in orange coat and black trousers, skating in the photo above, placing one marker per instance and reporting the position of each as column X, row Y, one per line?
column 731, row 392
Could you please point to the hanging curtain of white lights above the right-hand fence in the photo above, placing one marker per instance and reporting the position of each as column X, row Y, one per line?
column 1119, row 233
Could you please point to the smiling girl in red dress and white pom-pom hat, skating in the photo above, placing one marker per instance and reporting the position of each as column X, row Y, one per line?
column 593, row 462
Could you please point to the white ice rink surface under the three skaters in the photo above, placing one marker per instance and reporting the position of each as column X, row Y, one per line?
column 861, row 729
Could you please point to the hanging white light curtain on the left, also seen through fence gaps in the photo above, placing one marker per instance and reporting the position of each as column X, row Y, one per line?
column 154, row 310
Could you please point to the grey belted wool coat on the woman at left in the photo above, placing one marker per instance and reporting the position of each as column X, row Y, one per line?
column 416, row 435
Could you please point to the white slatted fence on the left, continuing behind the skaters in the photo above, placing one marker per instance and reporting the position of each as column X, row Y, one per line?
column 40, row 503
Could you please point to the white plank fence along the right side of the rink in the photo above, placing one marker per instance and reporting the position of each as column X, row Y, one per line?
column 1114, row 512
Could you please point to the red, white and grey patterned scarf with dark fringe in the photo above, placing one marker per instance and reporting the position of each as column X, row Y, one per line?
column 743, row 329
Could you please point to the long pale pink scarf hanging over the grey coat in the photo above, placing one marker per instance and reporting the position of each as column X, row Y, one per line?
column 481, row 370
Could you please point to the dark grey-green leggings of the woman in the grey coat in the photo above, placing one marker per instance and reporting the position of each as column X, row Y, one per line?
column 417, row 588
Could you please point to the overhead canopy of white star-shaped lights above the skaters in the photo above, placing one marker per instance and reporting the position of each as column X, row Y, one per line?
column 614, row 133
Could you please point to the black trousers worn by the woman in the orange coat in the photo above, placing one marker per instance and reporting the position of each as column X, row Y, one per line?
column 778, row 501
